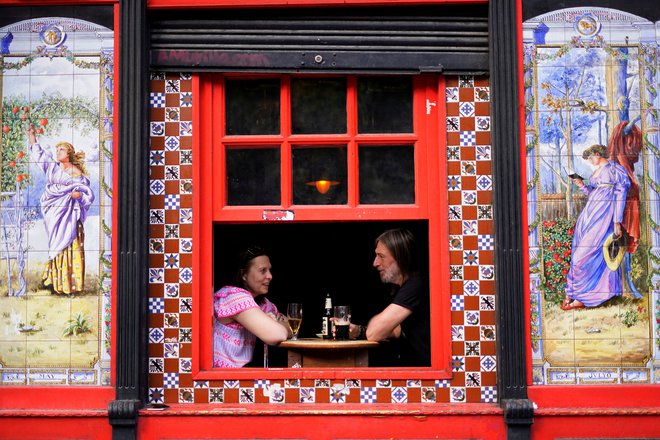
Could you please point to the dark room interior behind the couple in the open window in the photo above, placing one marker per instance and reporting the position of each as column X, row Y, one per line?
column 310, row 260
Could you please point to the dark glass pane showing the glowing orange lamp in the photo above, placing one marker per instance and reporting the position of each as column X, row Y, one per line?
column 319, row 176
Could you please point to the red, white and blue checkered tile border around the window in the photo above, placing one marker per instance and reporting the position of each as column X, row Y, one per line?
column 170, row 272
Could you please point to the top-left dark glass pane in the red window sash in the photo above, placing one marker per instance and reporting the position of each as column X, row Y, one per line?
column 252, row 106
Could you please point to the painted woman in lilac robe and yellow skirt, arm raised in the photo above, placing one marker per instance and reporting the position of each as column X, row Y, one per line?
column 64, row 204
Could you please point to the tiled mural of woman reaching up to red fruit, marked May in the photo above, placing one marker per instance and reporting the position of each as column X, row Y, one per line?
column 56, row 177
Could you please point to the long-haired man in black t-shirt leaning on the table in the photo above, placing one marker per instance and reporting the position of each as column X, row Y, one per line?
column 407, row 316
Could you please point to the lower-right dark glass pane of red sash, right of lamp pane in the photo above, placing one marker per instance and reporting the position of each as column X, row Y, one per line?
column 387, row 175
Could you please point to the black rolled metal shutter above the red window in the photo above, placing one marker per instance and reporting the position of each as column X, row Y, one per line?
column 443, row 38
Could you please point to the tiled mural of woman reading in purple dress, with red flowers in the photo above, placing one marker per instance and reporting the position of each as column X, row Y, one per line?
column 593, row 169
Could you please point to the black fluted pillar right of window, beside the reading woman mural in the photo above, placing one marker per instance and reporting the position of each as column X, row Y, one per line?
column 509, row 224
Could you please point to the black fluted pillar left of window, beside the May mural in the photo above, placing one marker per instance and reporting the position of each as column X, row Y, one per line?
column 132, row 194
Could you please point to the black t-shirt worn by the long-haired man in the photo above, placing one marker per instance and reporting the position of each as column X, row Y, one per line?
column 416, row 328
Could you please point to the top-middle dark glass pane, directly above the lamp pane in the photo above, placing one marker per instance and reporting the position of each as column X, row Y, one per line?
column 318, row 106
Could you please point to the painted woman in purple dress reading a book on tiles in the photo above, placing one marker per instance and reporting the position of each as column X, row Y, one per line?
column 590, row 281
